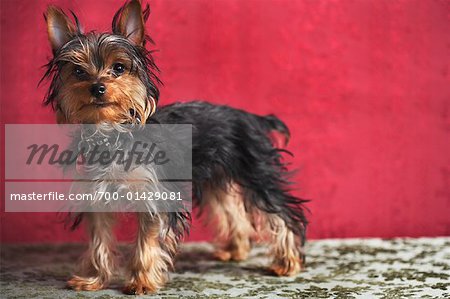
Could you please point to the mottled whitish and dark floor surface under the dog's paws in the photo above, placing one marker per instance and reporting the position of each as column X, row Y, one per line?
column 354, row 268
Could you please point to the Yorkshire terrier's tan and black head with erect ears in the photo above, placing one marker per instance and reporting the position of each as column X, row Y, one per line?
column 101, row 77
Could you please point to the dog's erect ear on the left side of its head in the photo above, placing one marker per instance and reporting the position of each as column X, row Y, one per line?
column 59, row 27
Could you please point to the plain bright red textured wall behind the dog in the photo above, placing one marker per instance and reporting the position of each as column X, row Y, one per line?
column 363, row 85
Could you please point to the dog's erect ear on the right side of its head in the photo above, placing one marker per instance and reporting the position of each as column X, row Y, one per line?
column 129, row 22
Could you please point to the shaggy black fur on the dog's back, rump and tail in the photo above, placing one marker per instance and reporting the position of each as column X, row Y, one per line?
column 231, row 147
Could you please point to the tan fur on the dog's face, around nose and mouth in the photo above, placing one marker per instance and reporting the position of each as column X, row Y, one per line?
column 123, row 93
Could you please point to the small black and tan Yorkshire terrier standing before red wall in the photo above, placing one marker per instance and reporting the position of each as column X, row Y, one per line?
column 238, row 174
